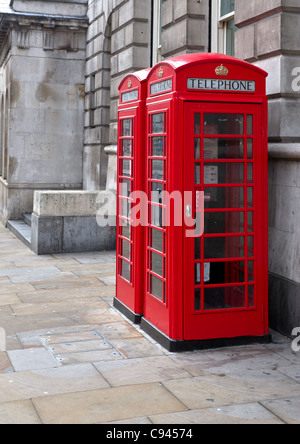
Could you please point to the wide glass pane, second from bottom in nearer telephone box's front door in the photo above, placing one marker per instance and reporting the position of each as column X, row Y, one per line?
column 225, row 273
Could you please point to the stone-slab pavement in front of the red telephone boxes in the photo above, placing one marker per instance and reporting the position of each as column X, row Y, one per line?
column 71, row 358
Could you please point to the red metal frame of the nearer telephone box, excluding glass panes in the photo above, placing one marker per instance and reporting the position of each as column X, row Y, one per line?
column 176, row 315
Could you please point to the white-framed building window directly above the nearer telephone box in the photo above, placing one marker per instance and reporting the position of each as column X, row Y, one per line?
column 223, row 27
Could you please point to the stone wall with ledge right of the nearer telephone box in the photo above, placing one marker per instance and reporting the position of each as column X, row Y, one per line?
column 268, row 36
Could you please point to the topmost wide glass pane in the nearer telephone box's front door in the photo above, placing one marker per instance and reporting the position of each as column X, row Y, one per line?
column 224, row 124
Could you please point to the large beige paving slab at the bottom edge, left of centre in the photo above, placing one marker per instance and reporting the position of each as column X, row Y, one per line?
column 101, row 406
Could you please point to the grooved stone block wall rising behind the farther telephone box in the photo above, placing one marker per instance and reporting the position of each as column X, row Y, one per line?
column 118, row 43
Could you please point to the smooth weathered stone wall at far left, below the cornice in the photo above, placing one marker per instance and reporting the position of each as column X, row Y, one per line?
column 43, row 92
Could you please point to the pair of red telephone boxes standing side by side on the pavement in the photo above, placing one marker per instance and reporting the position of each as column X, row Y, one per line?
column 192, row 157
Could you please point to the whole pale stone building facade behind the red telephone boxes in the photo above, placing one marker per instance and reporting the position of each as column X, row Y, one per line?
column 82, row 49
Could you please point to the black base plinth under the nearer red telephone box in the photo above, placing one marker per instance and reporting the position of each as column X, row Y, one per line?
column 183, row 346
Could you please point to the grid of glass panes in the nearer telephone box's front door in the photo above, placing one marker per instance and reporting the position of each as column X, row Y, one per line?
column 224, row 170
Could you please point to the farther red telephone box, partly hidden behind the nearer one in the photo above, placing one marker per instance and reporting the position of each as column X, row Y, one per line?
column 131, row 177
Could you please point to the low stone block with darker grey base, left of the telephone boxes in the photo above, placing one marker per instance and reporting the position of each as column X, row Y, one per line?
column 70, row 221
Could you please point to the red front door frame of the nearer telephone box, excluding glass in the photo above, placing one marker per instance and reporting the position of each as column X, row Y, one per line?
column 241, row 319
